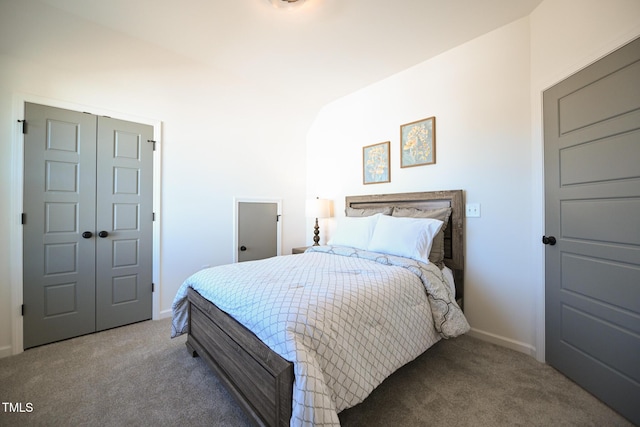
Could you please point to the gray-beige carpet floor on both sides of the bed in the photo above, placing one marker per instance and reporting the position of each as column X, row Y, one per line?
column 137, row 376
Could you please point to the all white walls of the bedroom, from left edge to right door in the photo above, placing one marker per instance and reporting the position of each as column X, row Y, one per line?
column 485, row 96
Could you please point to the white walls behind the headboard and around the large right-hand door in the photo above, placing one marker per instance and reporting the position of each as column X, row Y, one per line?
column 486, row 97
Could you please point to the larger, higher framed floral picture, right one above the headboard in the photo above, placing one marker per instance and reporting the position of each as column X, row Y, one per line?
column 418, row 143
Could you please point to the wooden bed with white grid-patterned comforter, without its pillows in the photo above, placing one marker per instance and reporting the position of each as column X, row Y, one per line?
column 296, row 375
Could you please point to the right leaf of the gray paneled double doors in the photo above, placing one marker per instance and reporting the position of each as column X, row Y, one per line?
column 124, row 218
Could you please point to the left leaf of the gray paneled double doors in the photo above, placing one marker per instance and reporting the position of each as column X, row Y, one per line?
column 58, row 263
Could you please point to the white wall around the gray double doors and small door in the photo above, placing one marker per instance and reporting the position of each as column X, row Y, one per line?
column 217, row 143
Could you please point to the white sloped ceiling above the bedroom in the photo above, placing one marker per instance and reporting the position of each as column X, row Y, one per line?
column 314, row 54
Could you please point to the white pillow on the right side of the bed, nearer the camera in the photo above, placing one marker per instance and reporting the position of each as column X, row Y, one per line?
column 406, row 237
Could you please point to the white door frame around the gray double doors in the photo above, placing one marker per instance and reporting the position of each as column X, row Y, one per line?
column 17, row 199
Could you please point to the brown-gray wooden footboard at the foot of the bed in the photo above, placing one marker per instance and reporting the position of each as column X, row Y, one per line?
column 259, row 378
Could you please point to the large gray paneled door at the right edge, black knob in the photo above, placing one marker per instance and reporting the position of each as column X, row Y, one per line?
column 592, row 196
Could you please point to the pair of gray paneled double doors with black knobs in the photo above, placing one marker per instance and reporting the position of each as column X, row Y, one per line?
column 85, row 177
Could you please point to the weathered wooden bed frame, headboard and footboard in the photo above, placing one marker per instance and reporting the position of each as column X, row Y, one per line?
column 261, row 380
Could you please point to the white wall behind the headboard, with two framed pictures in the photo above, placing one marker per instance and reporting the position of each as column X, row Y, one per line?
column 479, row 94
